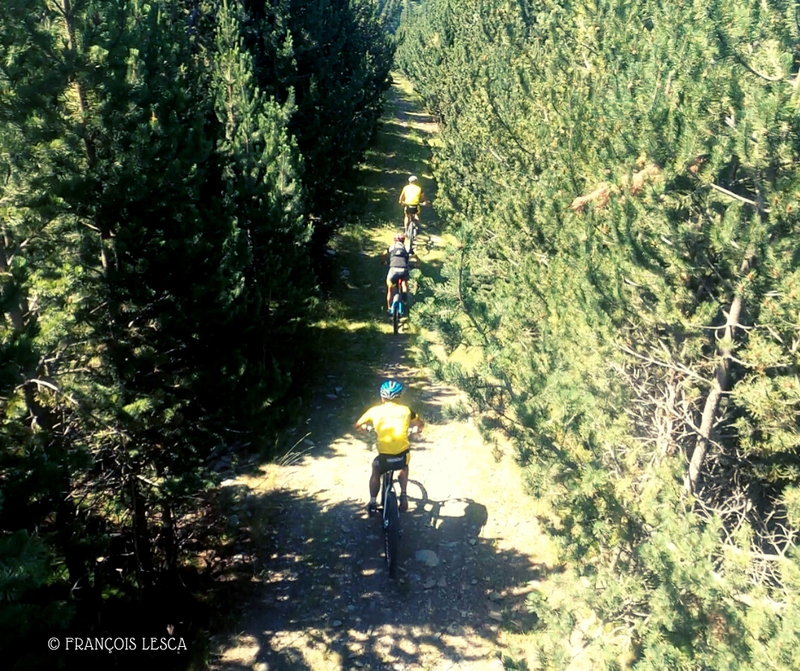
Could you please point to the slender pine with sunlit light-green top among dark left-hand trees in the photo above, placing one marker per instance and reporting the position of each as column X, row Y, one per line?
column 264, row 197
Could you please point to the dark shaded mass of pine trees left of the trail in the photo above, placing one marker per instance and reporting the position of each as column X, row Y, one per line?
column 157, row 184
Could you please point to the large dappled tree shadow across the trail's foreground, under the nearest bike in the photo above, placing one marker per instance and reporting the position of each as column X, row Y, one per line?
column 325, row 598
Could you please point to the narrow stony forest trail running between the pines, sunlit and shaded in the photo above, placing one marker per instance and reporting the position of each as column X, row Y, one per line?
column 320, row 596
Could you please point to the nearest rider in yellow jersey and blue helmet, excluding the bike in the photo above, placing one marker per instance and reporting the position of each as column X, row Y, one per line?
column 392, row 422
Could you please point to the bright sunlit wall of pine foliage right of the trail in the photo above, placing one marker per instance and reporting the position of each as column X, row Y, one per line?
column 623, row 177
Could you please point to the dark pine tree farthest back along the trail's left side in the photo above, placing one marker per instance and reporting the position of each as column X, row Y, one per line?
column 342, row 57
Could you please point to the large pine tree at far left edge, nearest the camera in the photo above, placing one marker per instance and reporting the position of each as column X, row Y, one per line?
column 116, row 282
